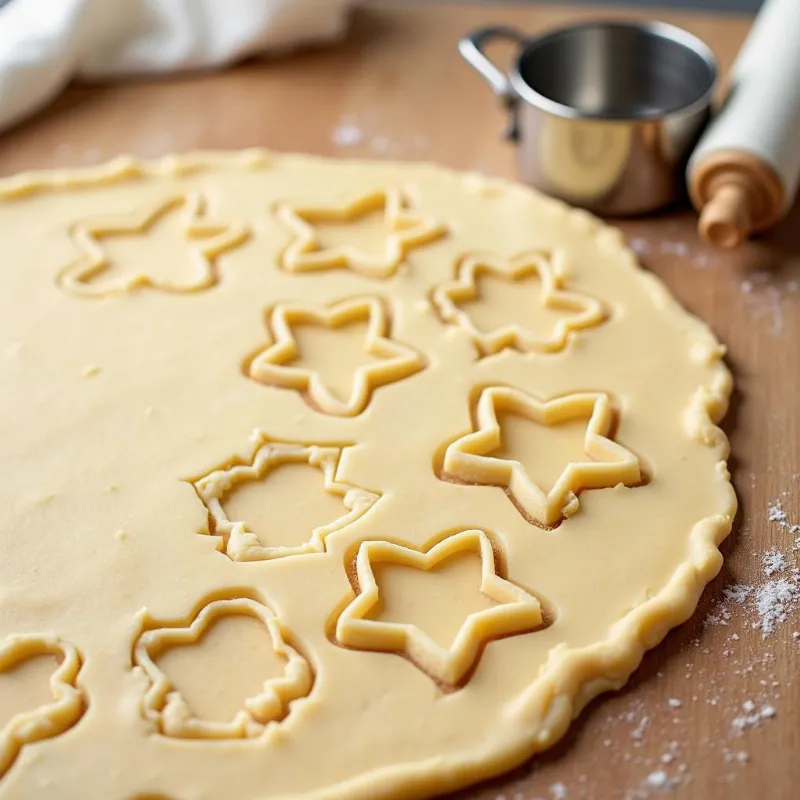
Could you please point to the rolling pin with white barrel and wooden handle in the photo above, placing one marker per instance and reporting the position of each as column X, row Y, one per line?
column 745, row 171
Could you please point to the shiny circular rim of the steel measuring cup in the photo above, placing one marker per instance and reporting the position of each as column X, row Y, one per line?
column 654, row 28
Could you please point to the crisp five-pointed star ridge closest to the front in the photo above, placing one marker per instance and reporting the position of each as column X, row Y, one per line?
column 515, row 611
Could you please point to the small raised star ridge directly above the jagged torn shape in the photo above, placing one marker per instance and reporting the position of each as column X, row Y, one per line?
column 274, row 367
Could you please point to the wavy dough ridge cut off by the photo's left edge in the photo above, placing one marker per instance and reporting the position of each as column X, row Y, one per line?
column 50, row 719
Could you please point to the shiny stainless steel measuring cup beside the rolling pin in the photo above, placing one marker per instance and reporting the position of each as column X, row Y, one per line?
column 605, row 114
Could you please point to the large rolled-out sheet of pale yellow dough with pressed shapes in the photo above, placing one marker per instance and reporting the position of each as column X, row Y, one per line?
column 331, row 479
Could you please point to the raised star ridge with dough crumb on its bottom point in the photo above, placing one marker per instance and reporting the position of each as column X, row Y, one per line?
column 607, row 464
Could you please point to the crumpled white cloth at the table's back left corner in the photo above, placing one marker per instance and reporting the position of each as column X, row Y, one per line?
column 45, row 43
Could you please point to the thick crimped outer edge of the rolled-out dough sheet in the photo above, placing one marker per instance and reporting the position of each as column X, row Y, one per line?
column 570, row 679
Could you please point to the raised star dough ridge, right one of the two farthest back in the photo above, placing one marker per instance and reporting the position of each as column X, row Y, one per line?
column 408, row 230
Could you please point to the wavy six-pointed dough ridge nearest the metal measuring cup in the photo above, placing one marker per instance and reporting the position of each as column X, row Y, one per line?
column 449, row 297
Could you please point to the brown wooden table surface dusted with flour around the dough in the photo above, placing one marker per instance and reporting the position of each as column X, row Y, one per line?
column 397, row 89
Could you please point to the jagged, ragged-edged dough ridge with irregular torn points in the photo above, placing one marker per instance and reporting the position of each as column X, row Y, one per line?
column 237, row 539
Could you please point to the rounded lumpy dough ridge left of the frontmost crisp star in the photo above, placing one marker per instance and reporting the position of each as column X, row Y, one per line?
column 164, row 705
